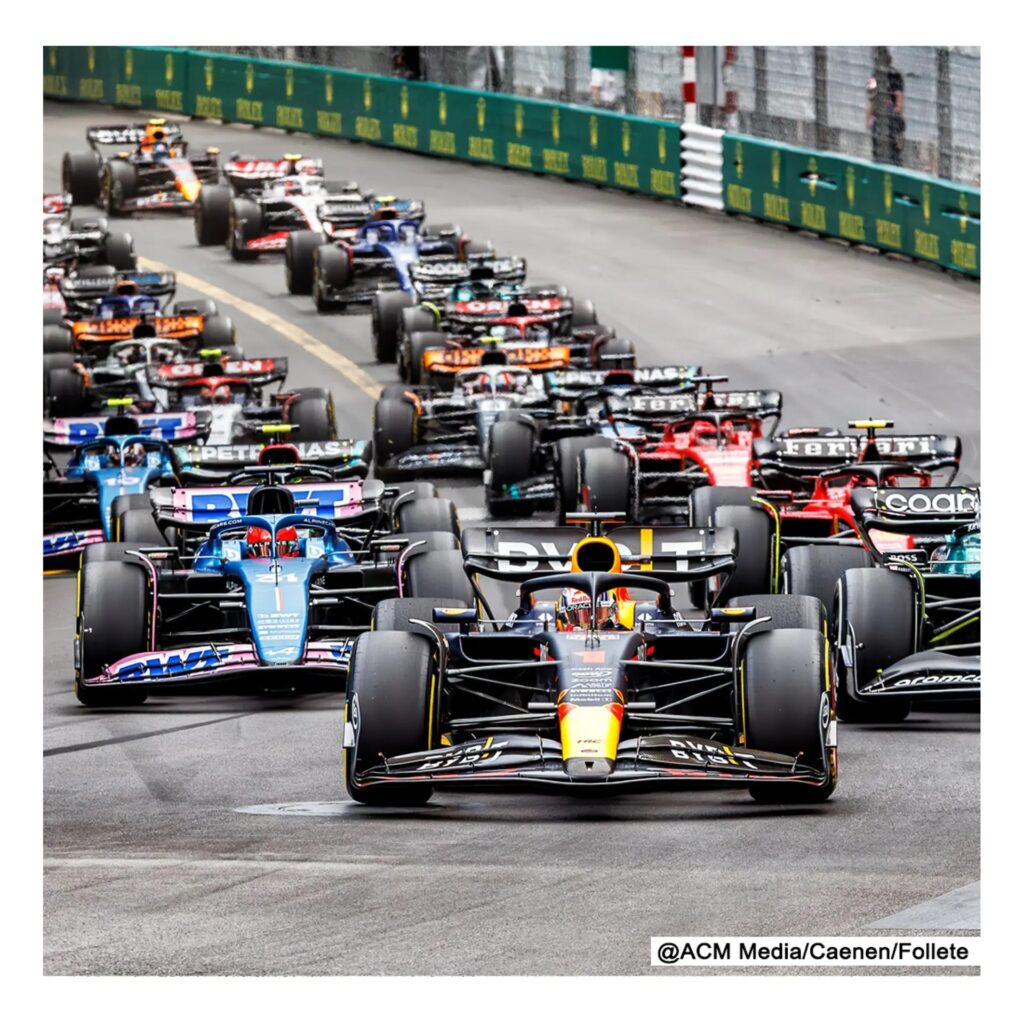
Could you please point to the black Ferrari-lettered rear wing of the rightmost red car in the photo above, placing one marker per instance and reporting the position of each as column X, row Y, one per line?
column 808, row 455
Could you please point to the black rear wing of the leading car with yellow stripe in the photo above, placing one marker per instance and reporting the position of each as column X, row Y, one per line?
column 520, row 553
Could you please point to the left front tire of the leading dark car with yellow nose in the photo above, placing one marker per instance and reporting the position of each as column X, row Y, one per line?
column 392, row 695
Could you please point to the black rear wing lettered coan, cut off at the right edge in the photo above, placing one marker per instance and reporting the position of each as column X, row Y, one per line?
column 915, row 510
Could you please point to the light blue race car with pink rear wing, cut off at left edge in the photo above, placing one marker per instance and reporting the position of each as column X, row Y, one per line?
column 110, row 458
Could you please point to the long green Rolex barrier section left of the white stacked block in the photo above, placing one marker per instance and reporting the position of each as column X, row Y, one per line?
column 614, row 150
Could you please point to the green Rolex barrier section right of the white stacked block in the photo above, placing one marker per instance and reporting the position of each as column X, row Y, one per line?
column 865, row 203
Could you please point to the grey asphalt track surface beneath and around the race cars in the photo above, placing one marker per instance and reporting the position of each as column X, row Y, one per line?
column 150, row 868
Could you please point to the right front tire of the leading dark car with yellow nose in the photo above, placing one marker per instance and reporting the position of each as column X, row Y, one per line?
column 786, row 707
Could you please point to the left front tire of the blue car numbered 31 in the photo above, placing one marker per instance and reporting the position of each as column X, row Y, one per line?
column 113, row 624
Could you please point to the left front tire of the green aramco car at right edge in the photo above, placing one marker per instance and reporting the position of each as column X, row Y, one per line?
column 879, row 607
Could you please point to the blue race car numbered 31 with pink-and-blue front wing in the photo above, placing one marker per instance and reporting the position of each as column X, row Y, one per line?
column 270, row 601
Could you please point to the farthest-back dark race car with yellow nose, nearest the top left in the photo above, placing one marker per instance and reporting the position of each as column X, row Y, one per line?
column 157, row 175
